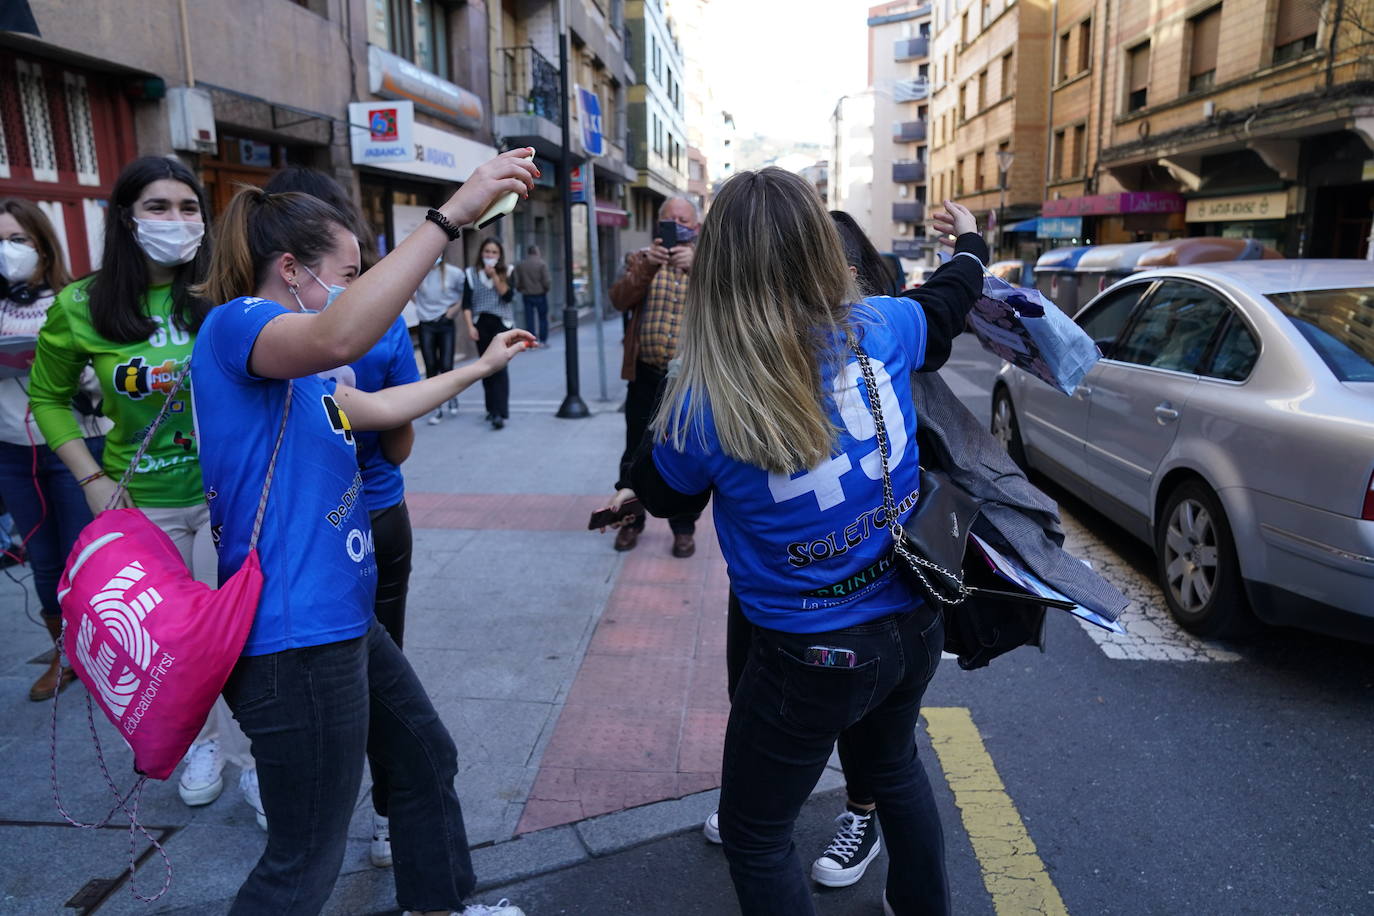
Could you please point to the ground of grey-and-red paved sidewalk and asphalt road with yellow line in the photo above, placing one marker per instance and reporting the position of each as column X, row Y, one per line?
column 1155, row 774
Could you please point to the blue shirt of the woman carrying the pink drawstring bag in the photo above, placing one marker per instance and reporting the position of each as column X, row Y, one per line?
column 317, row 545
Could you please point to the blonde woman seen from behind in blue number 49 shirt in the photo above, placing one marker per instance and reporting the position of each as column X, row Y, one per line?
column 767, row 413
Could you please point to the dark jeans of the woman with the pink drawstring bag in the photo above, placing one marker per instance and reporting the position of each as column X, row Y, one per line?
column 311, row 713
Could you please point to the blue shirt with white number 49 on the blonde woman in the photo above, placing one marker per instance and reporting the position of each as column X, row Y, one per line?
column 811, row 553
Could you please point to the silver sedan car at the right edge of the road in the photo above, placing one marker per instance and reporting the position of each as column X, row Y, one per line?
column 1230, row 425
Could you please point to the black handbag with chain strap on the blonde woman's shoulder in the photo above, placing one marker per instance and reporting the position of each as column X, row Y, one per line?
column 982, row 621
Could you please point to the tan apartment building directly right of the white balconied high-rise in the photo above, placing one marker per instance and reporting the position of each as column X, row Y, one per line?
column 990, row 64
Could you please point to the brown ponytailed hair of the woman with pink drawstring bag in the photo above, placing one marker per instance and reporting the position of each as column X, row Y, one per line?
column 256, row 229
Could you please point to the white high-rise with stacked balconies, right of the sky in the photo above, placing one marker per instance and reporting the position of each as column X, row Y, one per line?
column 899, row 73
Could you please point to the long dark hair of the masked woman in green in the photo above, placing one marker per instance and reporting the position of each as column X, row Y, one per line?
column 119, row 289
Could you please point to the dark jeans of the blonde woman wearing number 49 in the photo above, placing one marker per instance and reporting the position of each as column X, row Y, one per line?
column 784, row 722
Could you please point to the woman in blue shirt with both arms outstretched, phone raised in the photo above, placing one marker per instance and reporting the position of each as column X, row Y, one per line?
column 321, row 682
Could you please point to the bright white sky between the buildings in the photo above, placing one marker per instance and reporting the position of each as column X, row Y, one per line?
column 780, row 67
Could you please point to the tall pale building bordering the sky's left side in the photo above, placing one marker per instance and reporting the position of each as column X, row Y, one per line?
column 657, row 116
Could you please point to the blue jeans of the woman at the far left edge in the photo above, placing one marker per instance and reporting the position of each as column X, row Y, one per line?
column 46, row 496
